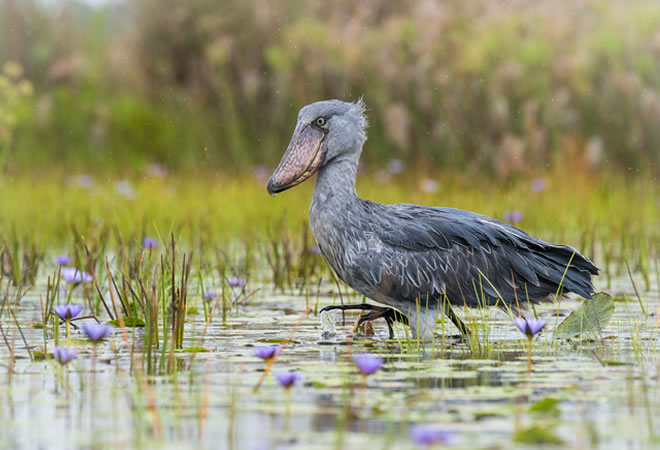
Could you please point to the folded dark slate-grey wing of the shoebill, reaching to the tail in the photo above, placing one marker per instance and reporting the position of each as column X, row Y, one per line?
column 432, row 252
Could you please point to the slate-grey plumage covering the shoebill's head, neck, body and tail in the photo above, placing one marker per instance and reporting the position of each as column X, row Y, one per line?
column 404, row 255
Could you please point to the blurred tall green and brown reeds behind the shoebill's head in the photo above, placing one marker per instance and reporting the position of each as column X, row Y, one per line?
column 497, row 88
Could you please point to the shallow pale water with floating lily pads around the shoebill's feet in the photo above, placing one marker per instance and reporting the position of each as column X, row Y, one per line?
column 606, row 389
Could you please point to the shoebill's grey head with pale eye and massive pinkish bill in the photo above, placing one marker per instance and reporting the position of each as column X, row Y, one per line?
column 326, row 132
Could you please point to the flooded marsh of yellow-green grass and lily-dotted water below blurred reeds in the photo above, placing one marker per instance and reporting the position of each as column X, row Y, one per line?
column 195, row 290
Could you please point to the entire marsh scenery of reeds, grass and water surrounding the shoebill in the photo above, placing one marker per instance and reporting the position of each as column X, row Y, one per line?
column 152, row 295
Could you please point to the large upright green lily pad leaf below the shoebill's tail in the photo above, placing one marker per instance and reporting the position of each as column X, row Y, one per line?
column 589, row 319
